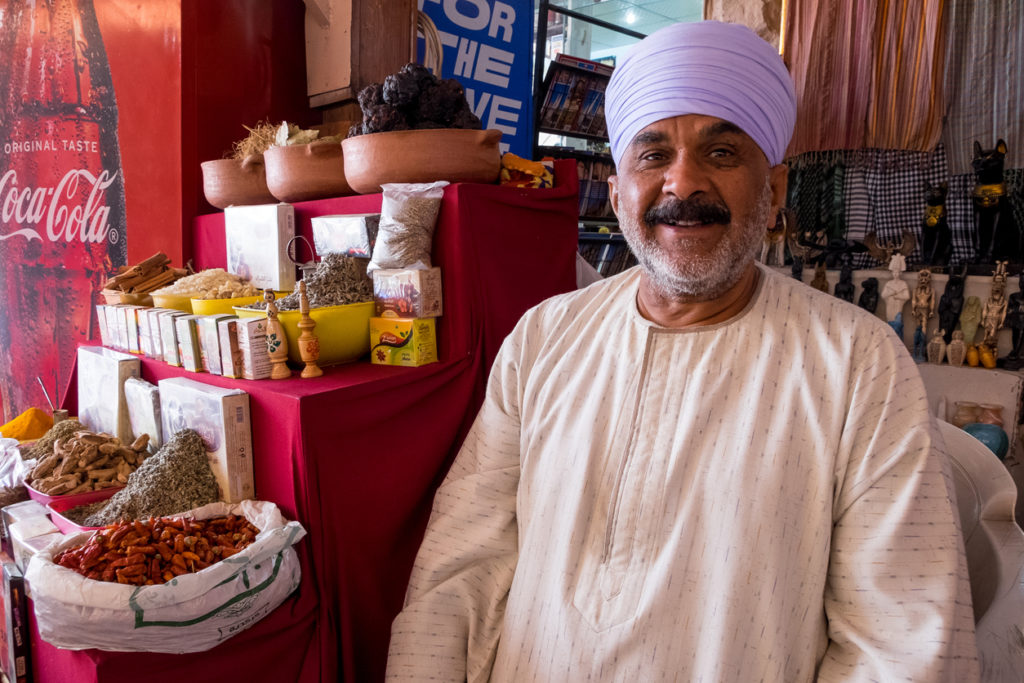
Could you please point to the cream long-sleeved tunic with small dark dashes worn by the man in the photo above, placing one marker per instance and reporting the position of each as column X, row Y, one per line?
column 762, row 500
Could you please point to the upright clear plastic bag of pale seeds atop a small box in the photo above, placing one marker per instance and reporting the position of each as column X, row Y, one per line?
column 406, row 232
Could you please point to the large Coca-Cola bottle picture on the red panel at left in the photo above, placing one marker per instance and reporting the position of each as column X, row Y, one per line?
column 62, row 192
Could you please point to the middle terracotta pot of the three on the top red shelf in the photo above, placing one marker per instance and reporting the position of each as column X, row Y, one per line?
column 304, row 173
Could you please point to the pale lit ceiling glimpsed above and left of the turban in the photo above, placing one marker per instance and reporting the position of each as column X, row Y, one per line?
column 642, row 16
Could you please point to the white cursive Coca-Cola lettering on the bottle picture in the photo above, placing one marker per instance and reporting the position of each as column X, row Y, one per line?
column 59, row 211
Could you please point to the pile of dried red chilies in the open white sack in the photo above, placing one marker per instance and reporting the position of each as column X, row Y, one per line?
column 155, row 551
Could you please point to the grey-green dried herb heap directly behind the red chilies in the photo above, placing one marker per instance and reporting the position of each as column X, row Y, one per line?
column 177, row 479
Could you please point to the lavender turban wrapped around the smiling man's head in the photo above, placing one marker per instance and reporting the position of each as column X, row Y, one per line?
column 709, row 68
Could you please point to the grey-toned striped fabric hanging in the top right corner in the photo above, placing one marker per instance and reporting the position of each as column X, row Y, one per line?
column 985, row 90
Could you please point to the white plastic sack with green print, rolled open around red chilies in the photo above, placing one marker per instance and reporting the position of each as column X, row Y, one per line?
column 190, row 614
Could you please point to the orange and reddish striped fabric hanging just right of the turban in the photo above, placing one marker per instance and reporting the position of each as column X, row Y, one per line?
column 868, row 74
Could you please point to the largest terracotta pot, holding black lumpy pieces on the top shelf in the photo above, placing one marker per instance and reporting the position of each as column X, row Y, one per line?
column 421, row 156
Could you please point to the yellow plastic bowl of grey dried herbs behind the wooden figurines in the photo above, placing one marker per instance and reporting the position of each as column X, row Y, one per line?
column 344, row 331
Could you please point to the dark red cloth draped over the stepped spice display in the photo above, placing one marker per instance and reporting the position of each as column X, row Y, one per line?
column 356, row 456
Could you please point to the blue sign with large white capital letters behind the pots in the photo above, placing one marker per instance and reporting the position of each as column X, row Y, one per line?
column 487, row 47
